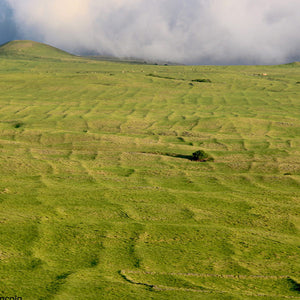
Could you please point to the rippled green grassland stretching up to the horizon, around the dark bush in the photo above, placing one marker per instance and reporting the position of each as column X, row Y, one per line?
column 99, row 201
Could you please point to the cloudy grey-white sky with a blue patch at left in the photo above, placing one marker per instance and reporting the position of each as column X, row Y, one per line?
column 184, row 31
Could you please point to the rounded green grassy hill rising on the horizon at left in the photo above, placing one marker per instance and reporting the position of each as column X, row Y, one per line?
column 31, row 49
